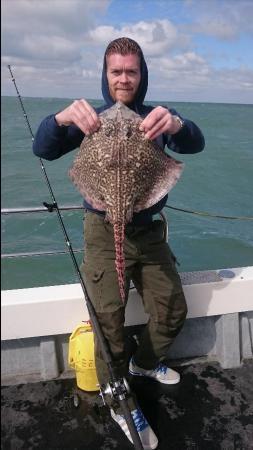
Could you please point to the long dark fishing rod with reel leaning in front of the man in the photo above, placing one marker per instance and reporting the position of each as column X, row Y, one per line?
column 117, row 387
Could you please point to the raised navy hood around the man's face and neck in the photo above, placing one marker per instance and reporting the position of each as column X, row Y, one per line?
column 140, row 95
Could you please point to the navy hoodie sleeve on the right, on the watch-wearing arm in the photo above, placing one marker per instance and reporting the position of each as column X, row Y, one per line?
column 188, row 140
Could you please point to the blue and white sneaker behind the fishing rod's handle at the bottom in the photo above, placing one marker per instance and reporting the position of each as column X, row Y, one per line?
column 147, row 436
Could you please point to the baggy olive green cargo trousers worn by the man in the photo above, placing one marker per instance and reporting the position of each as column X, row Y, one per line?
column 150, row 264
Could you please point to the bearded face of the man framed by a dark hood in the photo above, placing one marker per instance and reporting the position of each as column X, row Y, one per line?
column 124, row 76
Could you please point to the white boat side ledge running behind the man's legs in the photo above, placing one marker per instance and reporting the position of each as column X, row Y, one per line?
column 53, row 310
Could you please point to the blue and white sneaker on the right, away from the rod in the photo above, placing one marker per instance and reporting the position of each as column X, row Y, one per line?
column 161, row 373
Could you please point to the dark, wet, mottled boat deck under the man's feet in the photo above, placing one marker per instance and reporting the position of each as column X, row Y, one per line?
column 210, row 409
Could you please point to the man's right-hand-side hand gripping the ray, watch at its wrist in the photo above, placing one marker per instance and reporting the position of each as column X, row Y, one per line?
column 159, row 121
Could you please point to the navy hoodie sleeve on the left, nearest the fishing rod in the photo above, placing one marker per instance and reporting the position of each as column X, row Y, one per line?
column 53, row 141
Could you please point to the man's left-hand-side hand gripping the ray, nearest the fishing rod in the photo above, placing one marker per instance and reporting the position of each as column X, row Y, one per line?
column 80, row 113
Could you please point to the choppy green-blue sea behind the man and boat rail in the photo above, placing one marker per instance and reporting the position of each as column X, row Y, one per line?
column 217, row 182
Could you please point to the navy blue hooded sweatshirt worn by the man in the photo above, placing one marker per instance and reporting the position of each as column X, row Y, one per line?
column 53, row 141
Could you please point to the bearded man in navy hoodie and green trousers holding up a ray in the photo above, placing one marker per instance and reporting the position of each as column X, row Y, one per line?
column 149, row 262
